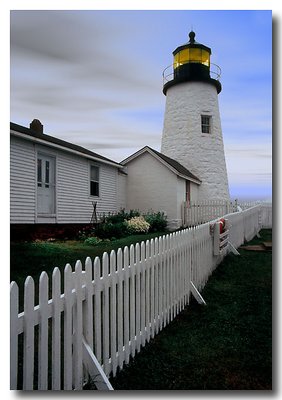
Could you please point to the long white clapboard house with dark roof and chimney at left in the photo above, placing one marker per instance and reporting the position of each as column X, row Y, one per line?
column 56, row 182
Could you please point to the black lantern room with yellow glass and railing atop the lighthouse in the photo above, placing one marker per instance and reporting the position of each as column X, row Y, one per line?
column 191, row 62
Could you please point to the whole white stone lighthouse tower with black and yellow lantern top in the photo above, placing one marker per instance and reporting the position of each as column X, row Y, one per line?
column 192, row 133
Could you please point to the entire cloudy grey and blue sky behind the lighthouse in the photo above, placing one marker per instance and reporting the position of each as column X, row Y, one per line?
column 94, row 78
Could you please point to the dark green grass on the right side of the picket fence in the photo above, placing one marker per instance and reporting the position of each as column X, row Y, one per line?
column 225, row 345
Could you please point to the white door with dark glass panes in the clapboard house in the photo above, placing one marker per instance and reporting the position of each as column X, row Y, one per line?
column 45, row 185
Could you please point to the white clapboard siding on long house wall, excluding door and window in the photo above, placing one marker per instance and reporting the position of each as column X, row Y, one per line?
column 72, row 190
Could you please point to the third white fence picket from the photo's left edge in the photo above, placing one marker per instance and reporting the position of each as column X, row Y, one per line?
column 43, row 332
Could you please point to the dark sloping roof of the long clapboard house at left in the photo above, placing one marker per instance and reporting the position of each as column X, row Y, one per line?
column 59, row 143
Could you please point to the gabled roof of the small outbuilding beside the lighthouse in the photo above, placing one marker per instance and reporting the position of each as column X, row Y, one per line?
column 174, row 165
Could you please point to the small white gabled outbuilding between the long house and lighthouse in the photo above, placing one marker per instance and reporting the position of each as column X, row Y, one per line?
column 156, row 182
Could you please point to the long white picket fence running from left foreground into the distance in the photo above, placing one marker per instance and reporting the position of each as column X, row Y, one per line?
column 111, row 308
